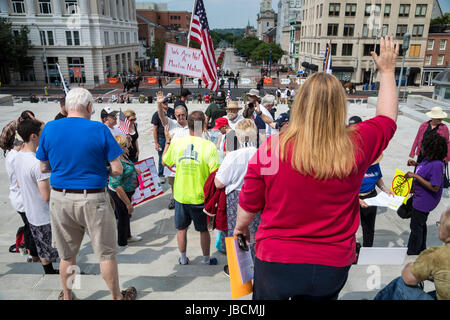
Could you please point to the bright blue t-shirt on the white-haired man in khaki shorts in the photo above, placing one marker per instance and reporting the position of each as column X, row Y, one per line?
column 77, row 150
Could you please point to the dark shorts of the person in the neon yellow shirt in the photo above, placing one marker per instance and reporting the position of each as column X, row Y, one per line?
column 186, row 213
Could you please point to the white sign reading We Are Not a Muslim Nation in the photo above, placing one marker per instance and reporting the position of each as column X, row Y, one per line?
column 183, row 60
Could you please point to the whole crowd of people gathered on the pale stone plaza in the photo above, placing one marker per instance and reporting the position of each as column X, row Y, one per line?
column 238, row 173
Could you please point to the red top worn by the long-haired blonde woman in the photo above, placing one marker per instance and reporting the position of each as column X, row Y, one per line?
column 305, row 220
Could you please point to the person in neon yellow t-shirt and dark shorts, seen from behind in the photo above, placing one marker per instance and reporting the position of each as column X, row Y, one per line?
column 195, row 159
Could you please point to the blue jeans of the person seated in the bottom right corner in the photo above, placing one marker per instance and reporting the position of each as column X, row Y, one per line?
column 398, row 290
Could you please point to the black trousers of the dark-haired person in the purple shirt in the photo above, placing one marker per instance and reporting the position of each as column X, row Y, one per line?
column 418, row 238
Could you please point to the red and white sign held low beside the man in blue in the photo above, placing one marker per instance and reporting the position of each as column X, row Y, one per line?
column 149, row 186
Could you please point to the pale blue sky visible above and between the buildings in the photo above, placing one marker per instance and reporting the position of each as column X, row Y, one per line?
column 235, row 13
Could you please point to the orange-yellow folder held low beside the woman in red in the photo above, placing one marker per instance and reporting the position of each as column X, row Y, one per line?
column 237, row 288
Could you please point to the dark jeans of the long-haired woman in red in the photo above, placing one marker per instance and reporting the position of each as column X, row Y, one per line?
column 281, row 281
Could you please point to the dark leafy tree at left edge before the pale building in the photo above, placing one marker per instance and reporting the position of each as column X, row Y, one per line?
column 13, row 50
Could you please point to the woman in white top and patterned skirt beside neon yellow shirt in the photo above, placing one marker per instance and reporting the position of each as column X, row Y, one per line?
column 231, row 177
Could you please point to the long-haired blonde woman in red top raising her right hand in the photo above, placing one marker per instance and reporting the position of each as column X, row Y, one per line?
column 306, row 181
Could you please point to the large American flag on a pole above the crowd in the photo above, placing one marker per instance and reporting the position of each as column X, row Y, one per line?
column 199, row 33
